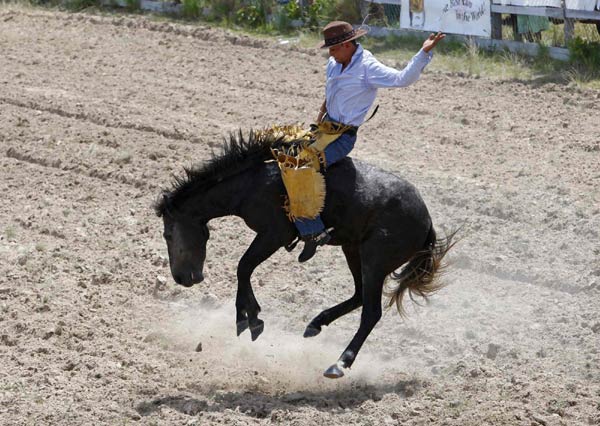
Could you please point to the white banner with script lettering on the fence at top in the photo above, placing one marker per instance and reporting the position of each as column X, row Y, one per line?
column 467, row 17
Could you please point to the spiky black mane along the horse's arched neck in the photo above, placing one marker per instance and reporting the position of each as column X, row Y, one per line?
column 237, row 154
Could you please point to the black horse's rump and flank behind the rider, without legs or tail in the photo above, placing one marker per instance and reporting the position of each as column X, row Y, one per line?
column 370, row 207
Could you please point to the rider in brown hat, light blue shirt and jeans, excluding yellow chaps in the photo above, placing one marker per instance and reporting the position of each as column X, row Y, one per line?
column 353, row 77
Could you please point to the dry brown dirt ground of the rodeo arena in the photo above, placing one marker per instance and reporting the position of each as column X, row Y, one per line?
column 96, row 115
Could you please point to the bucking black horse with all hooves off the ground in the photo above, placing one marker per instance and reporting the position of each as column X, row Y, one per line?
column 379, row 219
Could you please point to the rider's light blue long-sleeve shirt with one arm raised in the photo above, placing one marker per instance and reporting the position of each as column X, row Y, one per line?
column 349, row 94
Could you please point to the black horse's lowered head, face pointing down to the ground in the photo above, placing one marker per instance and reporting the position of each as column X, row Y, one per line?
column 186, row 244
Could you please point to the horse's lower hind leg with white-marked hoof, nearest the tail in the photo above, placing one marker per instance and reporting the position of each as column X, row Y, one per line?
column 372, row 281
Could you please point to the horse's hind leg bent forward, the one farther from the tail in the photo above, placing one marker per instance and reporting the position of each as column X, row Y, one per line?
column 329, row 315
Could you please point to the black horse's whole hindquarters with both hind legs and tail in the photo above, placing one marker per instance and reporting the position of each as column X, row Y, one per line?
column 382, row 224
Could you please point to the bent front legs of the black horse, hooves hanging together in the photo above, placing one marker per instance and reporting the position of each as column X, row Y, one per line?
column 246, row 306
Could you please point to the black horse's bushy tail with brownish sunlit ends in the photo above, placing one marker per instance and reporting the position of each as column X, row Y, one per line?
column 421, row 275
